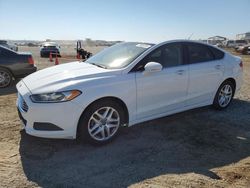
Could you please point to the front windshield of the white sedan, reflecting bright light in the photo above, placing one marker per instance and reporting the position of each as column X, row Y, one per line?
column 119, row 55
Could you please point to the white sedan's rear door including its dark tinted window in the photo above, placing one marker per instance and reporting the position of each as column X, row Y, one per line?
column 205, row 73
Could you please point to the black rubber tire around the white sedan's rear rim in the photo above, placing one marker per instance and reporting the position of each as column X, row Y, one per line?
column 216, row 103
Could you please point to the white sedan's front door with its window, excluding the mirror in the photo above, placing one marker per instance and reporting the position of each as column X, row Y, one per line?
column 164, row 91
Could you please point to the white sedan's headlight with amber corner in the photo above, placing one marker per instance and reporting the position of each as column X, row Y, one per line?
column 55, row 97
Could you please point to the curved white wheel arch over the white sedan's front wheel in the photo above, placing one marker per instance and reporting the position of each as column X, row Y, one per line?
column 112, row 98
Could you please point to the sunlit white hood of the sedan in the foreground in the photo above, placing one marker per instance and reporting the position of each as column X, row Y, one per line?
column 65, row 76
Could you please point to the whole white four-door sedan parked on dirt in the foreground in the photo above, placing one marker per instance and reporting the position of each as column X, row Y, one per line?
column 126, row 84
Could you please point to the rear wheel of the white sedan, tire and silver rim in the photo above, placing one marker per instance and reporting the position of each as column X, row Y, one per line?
column 224, row 95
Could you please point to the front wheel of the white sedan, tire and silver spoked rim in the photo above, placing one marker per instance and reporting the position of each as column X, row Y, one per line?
column 101, row 122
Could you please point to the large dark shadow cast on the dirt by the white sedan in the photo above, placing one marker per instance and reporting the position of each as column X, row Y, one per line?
column 194, row 141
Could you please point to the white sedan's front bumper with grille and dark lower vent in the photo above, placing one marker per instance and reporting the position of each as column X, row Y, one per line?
column 64, row 116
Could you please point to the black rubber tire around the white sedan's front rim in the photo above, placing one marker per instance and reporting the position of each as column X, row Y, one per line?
column 83, row 125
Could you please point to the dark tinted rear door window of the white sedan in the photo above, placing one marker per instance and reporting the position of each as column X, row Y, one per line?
column 199, row 53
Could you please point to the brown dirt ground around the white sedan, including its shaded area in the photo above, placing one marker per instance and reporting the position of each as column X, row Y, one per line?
column 197, row 148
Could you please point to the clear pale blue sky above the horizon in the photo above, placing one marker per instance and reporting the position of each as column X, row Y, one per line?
column 129, row 20
